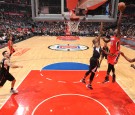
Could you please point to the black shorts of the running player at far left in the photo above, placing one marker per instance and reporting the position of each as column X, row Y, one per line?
column 5, row 77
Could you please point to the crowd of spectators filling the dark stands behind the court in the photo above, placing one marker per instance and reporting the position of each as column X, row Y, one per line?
column 21, row 26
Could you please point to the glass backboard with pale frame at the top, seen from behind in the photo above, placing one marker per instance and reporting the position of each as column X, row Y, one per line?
column 95, row 10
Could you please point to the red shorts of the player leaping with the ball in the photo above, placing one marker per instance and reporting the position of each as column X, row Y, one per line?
column 113, row 59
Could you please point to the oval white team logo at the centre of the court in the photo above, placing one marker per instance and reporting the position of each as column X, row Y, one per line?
column 68, row 47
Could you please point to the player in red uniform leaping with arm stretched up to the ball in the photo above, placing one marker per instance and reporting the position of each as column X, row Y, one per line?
column 114, row 53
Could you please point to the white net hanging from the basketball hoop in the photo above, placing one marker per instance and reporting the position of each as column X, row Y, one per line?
column 73, row 25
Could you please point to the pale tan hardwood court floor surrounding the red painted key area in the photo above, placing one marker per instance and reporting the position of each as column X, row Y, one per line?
column 34, row 54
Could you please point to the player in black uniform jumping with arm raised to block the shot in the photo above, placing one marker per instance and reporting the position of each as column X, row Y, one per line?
column 94, row 60
